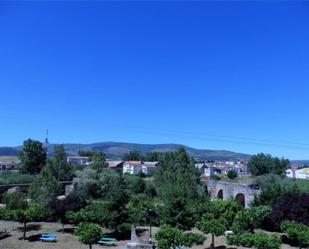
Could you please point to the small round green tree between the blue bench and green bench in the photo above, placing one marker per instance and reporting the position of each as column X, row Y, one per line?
column 88, row 233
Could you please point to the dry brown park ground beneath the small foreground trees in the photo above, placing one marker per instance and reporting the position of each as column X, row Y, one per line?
column 68, row 241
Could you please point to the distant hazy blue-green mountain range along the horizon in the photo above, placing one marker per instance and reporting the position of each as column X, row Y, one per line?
column 116, row 150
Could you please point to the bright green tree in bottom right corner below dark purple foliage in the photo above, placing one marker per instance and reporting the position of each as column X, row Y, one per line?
column 296, row 231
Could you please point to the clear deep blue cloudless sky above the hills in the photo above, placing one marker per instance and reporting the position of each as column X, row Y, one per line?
column 216, row 75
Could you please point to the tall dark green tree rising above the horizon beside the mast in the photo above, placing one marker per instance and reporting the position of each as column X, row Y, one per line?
column 32, row 156
